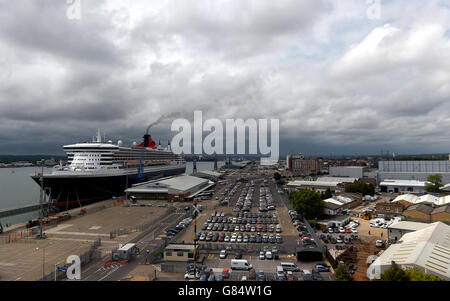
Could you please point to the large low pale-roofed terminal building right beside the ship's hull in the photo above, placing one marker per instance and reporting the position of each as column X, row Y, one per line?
column 178, row 188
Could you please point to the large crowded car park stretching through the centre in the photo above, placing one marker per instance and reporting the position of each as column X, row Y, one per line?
column 240, row 222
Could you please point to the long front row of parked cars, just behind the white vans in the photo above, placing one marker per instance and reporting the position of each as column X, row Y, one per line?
column 240, row 238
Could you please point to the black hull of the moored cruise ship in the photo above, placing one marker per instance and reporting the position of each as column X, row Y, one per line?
column 68, row 191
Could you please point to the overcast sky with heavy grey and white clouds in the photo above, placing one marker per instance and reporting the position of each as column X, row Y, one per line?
column 340, row 78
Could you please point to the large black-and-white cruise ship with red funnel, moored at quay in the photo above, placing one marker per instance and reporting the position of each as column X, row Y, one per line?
column 101, row 170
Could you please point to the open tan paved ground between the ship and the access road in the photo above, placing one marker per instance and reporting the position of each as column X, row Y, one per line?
column 26, row 260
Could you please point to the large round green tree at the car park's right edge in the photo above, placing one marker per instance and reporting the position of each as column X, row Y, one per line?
column 308, row 203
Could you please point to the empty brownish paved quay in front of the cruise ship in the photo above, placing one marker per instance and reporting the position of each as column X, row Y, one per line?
column 30, row 258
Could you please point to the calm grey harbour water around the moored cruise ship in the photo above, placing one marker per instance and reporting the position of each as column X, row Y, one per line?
column 18, row 189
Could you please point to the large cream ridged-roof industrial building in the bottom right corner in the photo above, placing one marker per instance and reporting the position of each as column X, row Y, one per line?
column 426, row 249
